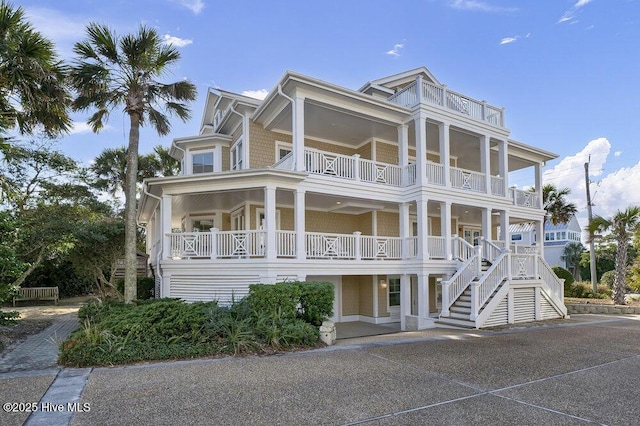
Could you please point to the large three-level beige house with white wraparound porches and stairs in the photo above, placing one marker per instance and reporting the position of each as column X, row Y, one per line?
column 393, row 192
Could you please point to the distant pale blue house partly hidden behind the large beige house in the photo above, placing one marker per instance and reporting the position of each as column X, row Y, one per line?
column 556, row 238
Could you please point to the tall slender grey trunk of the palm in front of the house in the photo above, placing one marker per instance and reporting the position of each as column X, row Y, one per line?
column 130, row 210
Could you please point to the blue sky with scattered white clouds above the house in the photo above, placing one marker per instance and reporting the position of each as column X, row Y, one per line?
column 566, row 70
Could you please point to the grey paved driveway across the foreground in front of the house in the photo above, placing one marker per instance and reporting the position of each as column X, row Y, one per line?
column 581, row 371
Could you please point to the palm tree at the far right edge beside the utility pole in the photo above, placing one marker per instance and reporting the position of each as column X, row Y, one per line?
column 622, row 225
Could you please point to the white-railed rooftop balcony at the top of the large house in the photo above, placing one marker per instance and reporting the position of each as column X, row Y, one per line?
column 421, row 91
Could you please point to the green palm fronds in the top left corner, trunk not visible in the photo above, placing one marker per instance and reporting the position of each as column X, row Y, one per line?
column 33, row 92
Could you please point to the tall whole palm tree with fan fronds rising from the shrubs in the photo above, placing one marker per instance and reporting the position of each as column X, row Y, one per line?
column 111, row 71
